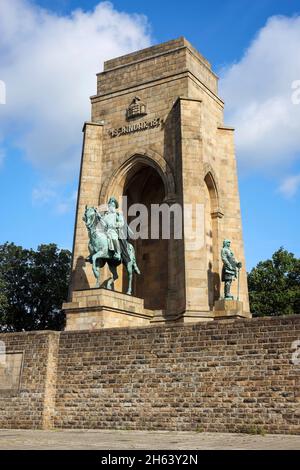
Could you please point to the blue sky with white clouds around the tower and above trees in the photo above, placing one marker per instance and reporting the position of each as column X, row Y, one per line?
column 254, row 46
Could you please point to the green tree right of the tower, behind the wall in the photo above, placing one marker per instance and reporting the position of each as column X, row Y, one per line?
column 274, row 285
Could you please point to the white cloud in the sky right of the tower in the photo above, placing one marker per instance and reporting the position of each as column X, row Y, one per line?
column 258, row 97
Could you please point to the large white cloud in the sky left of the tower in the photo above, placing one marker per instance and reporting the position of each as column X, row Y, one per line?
column 48, row 63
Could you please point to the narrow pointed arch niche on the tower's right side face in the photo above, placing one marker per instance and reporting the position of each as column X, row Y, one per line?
column 212, row 215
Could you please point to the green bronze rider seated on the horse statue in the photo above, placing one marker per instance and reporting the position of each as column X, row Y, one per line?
column 114, row 224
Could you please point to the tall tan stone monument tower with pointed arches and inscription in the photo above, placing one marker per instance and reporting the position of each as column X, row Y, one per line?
column 157, row 136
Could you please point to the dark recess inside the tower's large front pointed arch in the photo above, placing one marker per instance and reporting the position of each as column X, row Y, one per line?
column 144, row 185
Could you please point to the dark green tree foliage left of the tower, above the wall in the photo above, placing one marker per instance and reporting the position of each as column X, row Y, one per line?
column 34, row 285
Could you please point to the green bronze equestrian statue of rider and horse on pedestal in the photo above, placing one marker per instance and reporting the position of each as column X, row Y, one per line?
column 108, row 243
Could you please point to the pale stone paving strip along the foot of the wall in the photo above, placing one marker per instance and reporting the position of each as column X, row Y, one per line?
column 11, row 439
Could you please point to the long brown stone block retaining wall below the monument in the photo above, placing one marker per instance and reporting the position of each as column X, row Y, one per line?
column 224, row 376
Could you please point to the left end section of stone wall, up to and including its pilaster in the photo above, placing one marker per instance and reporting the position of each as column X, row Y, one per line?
column 31, row 404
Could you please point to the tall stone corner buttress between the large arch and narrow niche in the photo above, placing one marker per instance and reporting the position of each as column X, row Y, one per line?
column 193, row 196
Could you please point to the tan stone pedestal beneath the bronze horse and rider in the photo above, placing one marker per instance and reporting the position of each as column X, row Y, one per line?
column 93, row 309
